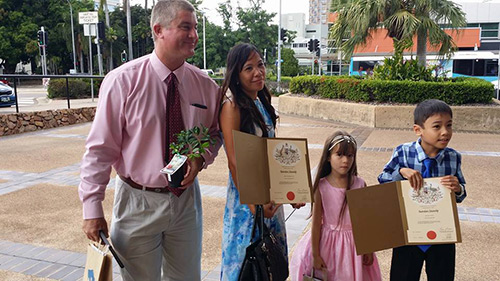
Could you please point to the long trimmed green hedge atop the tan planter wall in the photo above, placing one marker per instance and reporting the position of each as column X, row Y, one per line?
column 462, row 91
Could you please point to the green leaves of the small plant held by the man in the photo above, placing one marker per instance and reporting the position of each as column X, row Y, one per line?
column 193, row 142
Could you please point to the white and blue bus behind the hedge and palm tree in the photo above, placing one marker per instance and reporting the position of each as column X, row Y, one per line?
column 479, row 64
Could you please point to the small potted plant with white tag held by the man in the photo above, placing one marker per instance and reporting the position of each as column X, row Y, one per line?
column 189, row 144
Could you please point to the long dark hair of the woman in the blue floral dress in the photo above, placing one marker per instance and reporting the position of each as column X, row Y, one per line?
column 250, row 115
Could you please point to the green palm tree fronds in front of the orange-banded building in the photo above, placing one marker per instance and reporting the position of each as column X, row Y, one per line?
column 403, row 19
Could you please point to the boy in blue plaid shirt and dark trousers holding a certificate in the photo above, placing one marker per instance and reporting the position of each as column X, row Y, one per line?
column 427, row 157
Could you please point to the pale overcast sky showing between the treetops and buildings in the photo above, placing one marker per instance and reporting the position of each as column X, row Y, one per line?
column 287, row 6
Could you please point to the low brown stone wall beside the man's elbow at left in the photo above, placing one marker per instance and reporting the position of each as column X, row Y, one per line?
column 31, row 121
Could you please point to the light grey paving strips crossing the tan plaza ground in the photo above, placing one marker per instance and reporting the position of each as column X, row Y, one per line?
column 65, row 265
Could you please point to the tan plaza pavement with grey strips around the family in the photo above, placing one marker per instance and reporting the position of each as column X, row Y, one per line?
column 40, row 213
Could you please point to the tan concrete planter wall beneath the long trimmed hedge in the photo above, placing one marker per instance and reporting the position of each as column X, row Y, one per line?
column 470, row 118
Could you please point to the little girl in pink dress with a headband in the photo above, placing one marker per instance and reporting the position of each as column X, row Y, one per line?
column 329, row 246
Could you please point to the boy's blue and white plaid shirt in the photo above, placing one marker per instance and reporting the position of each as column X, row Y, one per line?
column 411, row 155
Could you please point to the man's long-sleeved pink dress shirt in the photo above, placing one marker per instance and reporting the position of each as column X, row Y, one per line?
column 128, row 132
